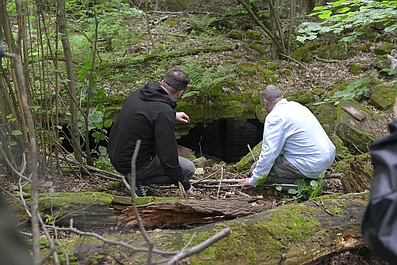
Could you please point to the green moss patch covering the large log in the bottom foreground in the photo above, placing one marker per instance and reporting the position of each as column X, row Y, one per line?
column 293, row 223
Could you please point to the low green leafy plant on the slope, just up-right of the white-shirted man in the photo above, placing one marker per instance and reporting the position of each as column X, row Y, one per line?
column 357, row 88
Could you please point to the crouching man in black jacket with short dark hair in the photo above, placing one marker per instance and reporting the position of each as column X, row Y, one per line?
column 148, row 115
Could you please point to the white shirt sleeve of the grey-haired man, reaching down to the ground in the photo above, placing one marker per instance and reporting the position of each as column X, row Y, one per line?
column 273, row 142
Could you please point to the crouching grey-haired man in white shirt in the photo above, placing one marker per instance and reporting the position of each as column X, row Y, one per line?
column 295, row 146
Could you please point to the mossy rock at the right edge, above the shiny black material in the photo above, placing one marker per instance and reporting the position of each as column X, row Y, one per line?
column 383, row 98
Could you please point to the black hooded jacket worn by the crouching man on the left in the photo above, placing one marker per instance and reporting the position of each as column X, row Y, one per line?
column 147, row 114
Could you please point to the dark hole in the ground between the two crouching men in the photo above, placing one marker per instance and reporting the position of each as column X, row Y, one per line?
column 224, row 139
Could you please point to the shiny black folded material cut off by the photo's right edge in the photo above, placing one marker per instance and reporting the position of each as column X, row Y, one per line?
column 379, row 226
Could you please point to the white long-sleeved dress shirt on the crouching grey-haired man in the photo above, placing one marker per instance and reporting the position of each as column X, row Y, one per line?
column 292, row 130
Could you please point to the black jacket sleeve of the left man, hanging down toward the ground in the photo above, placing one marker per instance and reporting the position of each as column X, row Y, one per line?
column 166, row 147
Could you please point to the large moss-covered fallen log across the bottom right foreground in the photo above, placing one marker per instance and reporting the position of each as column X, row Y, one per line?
column 297, row 233
